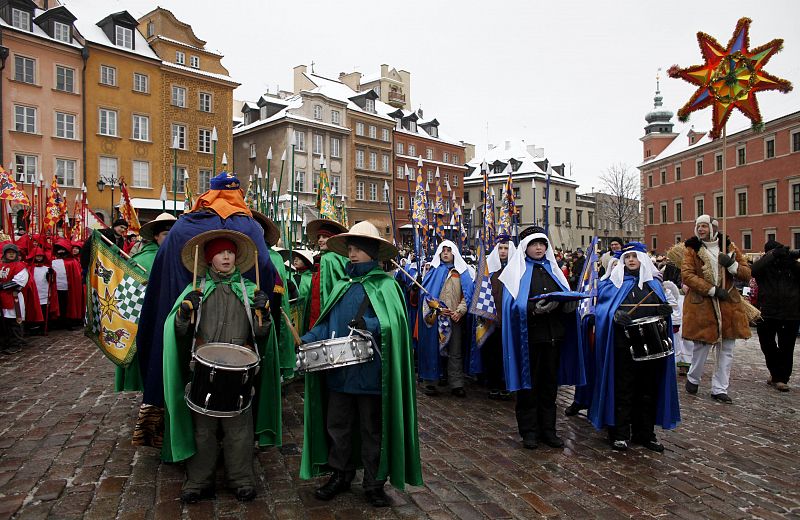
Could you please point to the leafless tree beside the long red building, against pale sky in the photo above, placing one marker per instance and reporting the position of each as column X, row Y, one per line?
column 619, row 202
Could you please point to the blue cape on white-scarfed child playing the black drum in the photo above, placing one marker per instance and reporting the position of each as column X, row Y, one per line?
column 601, row 413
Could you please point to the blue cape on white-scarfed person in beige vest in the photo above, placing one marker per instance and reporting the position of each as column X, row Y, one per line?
column 428, row 346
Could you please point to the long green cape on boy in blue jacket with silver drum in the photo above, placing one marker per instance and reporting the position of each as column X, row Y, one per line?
column 399, row 461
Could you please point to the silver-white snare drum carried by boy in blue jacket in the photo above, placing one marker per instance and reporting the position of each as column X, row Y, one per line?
column 356, row 348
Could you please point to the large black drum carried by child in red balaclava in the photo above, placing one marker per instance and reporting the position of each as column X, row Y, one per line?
column 222, row 379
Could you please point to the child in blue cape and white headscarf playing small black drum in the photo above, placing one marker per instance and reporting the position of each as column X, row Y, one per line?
column 640, row 394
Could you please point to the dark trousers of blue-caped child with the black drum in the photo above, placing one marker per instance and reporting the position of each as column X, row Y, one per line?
column 635, row 393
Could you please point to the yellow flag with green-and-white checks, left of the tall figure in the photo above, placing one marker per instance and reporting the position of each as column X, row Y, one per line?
column 115, row 295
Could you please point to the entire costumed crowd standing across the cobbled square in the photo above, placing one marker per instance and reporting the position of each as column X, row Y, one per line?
column 228, row 315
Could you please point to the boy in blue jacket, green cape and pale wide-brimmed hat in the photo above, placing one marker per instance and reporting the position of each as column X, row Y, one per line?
column 373, row 401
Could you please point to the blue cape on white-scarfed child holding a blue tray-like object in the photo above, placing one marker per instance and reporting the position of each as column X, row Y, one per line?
column 515, row 338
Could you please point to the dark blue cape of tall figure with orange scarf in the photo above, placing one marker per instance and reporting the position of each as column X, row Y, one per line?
column 169, row 277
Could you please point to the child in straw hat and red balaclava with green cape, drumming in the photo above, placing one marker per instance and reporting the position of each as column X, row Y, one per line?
column 223, row 307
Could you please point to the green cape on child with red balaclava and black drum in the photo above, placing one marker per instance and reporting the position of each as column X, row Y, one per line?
column 178, row 424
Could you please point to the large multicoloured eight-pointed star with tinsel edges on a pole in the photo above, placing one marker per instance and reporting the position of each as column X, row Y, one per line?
column 730, row 77
